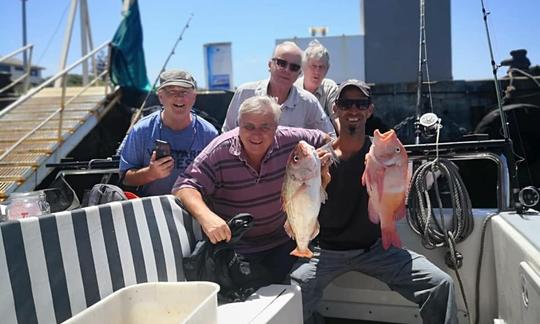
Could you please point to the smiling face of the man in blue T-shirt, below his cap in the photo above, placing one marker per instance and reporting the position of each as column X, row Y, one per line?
column 177, row 101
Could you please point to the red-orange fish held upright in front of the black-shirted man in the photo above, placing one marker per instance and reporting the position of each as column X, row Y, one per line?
column 387, row 181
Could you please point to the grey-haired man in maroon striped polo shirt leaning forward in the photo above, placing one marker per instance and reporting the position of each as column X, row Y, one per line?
column 240, row 171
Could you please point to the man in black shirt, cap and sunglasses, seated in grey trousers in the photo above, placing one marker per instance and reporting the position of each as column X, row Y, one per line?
column 349, row 241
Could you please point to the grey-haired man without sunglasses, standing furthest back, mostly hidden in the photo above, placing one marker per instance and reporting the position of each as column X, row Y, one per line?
column 315, row 65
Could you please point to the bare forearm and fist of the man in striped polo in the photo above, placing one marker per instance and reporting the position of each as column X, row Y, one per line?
column 213, row 226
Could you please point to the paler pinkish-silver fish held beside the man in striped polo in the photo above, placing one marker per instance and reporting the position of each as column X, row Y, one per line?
column 302, row 194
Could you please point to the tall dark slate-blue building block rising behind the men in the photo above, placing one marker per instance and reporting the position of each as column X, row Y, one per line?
column 392, row 29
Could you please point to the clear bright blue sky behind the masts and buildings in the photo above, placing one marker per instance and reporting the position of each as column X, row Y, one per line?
column 253, row 27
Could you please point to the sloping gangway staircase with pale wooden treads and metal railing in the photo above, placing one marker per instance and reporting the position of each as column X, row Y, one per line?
column 44, row 125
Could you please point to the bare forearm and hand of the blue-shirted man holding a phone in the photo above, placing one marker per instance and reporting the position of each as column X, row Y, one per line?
column 157, row 169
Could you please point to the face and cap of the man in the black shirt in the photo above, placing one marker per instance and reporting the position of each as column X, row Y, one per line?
column 353, row 118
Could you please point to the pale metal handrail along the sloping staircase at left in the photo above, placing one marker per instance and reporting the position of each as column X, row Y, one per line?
column 62, row 76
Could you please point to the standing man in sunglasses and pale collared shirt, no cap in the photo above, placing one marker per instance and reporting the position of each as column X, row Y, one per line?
column 299, row 107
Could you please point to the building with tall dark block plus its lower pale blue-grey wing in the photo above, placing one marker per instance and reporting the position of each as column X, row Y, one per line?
column 386, row 49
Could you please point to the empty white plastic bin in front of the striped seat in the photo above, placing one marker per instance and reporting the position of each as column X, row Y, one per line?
column 156, row 303
